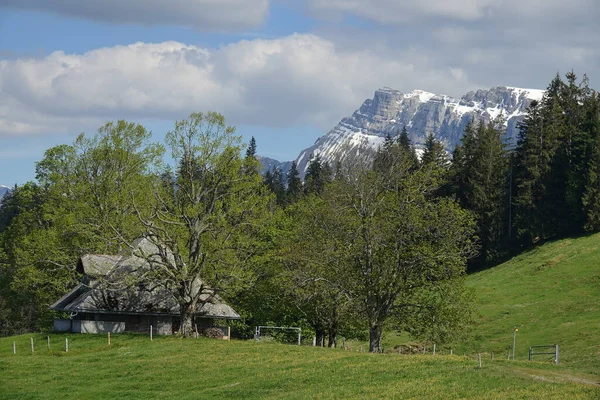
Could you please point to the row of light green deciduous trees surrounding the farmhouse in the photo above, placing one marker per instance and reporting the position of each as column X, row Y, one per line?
column 350, row 252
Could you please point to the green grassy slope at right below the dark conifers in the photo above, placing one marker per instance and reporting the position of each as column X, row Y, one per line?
column 552, row 294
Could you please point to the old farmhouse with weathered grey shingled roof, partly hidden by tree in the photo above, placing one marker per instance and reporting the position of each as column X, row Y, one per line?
column 116, row 294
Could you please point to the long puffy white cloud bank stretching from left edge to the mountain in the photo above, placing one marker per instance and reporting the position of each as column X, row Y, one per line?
column 299, row 79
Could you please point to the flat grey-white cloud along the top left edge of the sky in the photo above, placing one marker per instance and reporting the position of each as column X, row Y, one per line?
column 205, row 15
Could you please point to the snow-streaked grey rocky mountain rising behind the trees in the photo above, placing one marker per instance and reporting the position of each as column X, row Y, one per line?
column 359, row 135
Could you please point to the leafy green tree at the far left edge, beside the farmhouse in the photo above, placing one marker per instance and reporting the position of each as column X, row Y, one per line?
column 35, row 259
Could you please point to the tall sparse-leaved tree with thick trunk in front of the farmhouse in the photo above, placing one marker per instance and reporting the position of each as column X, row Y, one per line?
column 207, row 227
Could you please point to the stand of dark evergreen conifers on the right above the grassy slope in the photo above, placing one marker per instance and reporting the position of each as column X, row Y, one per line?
column 543, row 187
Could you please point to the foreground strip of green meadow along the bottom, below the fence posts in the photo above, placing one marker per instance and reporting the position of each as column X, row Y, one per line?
column 133, row 367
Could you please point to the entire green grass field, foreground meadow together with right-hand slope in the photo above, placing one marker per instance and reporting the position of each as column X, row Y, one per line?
column 551, row 293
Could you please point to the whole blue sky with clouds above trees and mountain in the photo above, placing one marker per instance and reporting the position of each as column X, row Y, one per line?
column 284, row 71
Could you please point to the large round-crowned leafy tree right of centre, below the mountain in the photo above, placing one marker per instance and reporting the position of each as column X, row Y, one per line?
column 395, row 241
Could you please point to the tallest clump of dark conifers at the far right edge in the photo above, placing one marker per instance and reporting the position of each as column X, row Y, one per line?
column 555, row 163
